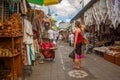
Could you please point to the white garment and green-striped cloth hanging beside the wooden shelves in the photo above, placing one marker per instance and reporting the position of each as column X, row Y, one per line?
column 28, row 41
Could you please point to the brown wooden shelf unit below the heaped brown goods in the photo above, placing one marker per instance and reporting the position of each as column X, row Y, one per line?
column 10, row 56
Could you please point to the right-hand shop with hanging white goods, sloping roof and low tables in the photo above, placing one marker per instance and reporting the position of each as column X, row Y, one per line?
column 101, row 18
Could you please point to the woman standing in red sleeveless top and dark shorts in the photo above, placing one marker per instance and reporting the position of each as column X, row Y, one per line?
column 78, row 46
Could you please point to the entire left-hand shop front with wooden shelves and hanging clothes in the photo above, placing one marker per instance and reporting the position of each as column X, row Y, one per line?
column 20, row 36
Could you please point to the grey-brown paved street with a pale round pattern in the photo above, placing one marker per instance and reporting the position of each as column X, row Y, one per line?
column 94, row 68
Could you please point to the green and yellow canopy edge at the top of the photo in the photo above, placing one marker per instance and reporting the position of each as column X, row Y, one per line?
column 44, row 2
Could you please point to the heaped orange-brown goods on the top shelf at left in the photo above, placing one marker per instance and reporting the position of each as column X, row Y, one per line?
column 11, row 27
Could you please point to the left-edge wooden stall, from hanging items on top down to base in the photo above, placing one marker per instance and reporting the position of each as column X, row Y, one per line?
column 11, row 32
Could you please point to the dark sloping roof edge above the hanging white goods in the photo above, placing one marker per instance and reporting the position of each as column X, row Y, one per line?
column 81, row 12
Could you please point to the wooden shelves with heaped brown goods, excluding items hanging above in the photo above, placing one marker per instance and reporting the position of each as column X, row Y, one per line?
column 10, row 47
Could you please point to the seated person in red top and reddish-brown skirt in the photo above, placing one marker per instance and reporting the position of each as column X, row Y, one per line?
column 47, row 49
